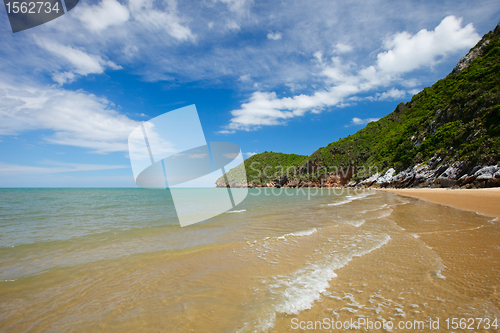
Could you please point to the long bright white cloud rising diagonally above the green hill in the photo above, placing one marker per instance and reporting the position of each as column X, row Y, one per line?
column 342, row 80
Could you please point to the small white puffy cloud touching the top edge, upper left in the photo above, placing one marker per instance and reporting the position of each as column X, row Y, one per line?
column 105, row 14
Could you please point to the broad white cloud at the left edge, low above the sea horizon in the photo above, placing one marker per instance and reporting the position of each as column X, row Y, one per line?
column 75, row 117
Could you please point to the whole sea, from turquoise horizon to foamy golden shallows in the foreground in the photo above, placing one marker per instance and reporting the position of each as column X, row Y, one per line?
column 283, row 260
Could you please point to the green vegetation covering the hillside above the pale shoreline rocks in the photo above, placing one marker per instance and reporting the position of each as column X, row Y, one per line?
column 458, row 118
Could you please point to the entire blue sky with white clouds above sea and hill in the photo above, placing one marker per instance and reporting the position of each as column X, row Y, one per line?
column 283, row 76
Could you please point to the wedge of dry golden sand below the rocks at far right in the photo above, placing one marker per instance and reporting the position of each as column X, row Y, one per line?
column 484, row 201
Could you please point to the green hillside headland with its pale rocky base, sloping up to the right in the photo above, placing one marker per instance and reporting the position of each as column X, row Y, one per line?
column 447, row 135
